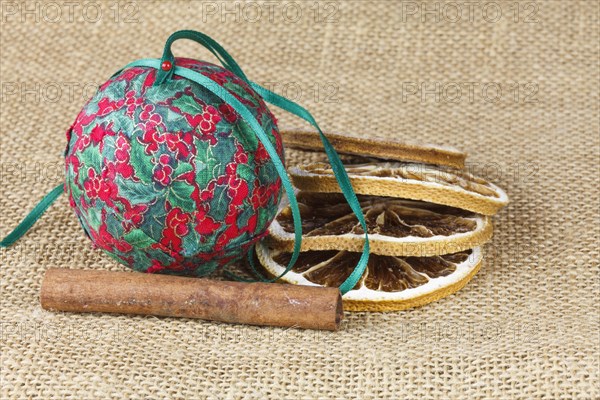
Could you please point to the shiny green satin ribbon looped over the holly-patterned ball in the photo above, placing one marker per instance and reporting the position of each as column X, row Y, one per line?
column 228, row 62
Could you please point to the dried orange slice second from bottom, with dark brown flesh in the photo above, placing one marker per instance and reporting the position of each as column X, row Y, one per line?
column 395, row 226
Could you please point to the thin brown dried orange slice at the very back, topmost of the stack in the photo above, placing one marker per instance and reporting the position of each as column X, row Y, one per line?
column 377, row 148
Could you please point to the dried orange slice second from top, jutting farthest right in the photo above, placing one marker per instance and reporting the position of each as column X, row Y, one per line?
column 430, row 183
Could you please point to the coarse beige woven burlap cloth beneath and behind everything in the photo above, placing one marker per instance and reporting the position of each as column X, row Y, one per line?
column 526, row 327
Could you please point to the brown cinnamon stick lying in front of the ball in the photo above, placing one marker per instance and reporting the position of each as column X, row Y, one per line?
column 271, row 304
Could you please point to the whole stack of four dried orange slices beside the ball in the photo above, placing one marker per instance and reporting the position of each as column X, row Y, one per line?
column 427, row 219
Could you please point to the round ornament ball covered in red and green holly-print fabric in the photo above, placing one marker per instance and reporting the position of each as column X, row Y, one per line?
column 169, row 178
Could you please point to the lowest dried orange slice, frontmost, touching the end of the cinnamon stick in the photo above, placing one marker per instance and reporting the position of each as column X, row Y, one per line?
column 388, row 284
